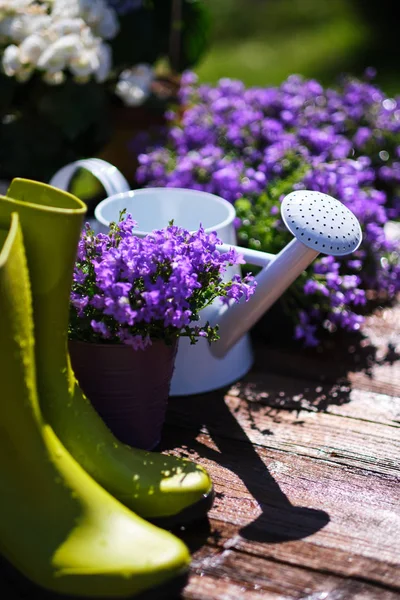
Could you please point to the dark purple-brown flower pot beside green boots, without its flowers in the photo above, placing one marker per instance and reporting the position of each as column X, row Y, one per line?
column 128, row 388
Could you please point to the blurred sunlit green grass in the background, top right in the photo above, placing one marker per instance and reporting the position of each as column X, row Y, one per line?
column 262, row 42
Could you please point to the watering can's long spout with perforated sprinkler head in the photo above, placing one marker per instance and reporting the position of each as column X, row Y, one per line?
column 320, row 224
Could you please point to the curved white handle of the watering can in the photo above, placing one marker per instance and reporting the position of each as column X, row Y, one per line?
column 111, row 179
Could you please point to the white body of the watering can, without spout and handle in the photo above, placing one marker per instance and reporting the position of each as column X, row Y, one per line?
column 197, row 370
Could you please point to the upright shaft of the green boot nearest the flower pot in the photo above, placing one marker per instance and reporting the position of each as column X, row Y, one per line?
column 51, row 221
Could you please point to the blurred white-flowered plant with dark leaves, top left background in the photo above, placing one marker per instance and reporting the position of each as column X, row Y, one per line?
column 64, row 65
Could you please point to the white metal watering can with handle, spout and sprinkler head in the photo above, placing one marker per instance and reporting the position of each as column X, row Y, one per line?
column 318, row 222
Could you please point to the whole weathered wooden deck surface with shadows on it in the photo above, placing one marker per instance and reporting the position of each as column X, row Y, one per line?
column 304, row 453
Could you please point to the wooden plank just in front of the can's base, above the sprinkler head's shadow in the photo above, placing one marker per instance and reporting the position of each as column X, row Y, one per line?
column 329, row 437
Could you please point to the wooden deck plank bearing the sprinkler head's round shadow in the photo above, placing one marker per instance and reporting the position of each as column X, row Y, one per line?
column 301, row 511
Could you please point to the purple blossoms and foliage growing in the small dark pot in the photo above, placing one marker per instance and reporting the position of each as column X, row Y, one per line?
column 133, row 290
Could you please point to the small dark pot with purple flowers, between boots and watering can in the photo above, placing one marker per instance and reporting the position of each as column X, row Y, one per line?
column 132, row 299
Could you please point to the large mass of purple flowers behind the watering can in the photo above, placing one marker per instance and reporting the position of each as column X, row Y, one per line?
column 253, row 146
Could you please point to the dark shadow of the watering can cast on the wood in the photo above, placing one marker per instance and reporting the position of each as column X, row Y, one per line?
column 279, row 520
